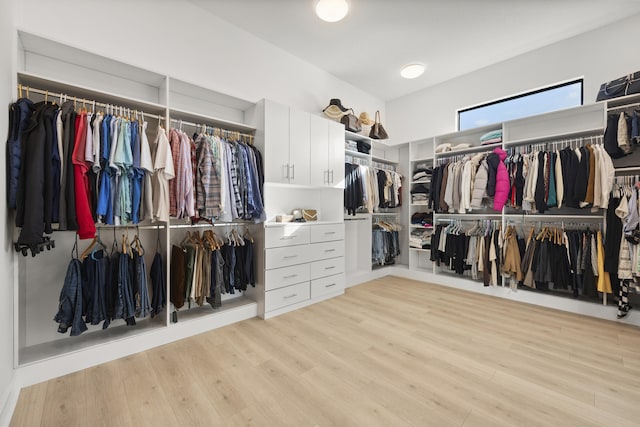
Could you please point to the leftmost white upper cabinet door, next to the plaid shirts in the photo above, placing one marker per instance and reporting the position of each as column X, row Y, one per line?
column 276, row 134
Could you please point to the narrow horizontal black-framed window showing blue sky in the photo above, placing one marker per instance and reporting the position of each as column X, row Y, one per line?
column 552, row 98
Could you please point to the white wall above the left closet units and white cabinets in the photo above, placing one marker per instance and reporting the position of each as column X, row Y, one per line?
column 188, row 43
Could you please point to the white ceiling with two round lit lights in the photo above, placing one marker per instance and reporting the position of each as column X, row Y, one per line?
column 452, row 37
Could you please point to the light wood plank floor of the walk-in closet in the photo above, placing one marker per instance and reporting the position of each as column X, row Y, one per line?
column 390, row 352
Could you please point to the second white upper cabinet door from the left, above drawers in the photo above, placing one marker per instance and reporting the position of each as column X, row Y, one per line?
column 299, row 145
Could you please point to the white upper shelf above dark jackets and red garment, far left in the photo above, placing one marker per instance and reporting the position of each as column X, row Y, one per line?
column 83, row 93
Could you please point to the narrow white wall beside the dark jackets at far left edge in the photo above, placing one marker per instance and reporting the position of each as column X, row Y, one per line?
column 7, row 46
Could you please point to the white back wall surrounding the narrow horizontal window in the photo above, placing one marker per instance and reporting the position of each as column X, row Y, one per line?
column 599, row 55
